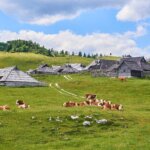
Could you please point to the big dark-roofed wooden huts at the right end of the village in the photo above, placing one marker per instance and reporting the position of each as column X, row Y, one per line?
column 125, row 67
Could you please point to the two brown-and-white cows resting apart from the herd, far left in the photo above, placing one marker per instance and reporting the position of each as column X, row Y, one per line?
column 19, row 103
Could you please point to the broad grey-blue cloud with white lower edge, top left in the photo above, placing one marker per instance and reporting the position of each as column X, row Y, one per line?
column 50, row 11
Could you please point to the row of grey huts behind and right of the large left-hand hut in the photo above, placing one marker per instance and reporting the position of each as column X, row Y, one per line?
column 125, row 67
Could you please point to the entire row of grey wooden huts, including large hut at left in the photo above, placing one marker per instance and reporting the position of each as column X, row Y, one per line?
column 125, row 67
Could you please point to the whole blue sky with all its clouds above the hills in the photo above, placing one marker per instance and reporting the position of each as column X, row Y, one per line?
column 120, row 27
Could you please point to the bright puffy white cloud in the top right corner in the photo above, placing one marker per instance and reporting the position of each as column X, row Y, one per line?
column 135, row 10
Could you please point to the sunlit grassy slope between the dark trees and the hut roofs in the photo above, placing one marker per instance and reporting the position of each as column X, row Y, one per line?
column 26, row 61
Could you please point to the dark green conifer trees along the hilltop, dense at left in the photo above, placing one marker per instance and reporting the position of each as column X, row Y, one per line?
column 30, row 46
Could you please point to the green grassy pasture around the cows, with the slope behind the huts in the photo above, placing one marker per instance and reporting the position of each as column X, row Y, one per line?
column 47, row 125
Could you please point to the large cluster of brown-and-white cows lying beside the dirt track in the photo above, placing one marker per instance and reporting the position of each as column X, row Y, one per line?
column 91, row 100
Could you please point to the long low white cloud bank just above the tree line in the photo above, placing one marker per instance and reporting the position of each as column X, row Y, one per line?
column 117, row 44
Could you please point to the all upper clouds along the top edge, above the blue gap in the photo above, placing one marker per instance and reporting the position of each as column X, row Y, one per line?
column 44, row 12
